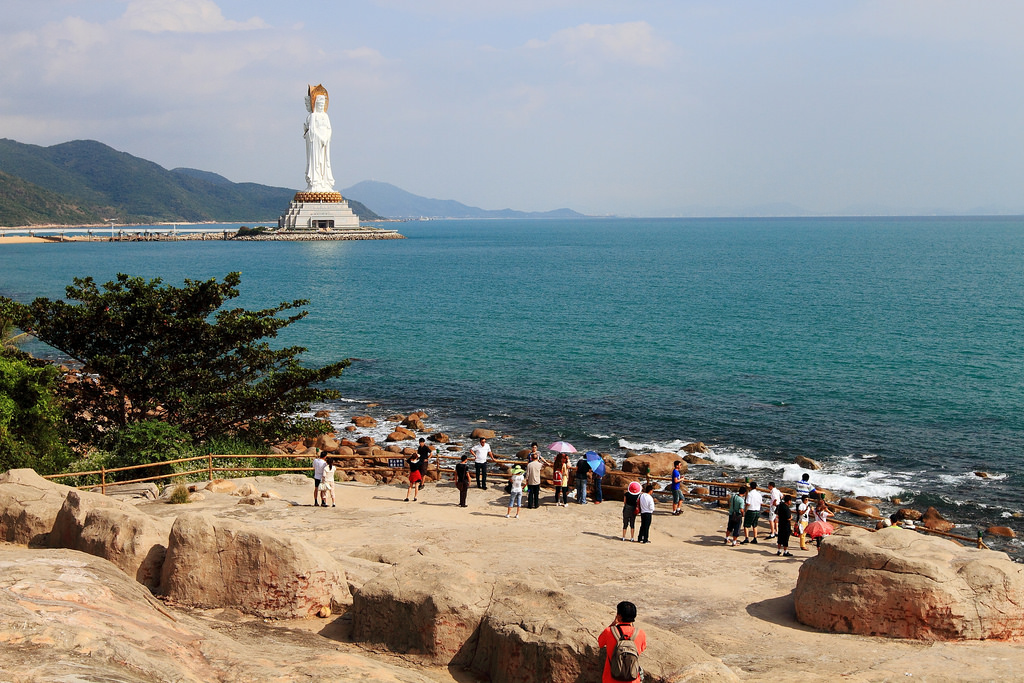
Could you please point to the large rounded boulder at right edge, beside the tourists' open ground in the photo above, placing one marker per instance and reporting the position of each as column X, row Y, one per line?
column 907, row 585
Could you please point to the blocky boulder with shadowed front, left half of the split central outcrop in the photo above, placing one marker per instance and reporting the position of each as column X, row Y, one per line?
column 422, row 607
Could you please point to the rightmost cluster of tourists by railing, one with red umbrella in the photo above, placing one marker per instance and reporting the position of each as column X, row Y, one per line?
column 808, row 521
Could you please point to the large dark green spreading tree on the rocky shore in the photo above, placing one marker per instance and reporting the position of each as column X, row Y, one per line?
column 172, row 354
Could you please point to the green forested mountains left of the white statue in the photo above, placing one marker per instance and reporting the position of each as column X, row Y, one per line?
column 99, row 180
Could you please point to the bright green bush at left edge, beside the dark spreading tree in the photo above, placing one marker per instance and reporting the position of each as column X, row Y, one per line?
column 30, row 417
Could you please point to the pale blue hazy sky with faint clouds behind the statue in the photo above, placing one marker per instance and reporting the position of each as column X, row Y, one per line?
column 626, row 108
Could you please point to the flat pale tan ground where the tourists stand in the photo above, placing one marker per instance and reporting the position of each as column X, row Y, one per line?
column 734, row 603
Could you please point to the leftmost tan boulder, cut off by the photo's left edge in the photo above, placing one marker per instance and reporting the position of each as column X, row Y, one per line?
column 29, row 506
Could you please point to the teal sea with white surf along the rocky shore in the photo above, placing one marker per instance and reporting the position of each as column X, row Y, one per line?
column 891, row 351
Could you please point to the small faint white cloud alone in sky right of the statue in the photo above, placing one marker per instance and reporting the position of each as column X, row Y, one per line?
column 632, row 42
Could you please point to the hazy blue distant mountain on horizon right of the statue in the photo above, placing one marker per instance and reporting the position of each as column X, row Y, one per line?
column 397, row 203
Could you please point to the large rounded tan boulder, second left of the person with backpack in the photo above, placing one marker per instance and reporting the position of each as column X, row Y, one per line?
column 224, row 564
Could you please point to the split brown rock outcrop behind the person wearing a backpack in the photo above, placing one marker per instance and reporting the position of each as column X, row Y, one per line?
column 509, row 631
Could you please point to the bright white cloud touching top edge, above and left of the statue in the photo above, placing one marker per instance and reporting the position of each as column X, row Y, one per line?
column 182, row 17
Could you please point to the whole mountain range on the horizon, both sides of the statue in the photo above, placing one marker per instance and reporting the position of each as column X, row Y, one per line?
column 84, row 182
